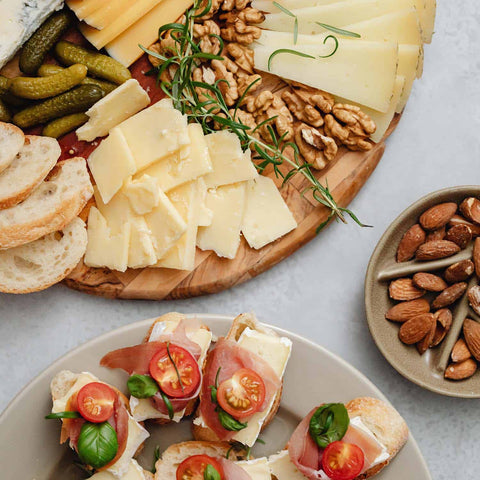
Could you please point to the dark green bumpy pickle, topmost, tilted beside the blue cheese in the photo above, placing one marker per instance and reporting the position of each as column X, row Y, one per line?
column 43, row 40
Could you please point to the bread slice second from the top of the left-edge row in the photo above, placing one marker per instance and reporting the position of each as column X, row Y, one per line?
column 29, row 168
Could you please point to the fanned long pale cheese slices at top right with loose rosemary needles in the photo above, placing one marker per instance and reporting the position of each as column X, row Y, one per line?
column 375, row 71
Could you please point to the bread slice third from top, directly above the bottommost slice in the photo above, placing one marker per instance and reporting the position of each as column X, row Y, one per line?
column 51, row 206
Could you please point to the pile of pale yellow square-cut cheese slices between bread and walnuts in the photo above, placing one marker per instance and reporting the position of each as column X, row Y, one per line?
column 163, row 188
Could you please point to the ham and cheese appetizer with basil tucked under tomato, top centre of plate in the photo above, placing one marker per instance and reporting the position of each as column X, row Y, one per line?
column 242, row 384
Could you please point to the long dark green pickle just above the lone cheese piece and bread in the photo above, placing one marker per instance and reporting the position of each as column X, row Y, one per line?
column 74, row 101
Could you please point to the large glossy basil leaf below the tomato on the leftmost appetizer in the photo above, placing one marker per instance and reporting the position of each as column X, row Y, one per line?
column 97, row 444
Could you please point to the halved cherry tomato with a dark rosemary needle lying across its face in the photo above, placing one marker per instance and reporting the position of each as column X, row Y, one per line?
column 165, row 374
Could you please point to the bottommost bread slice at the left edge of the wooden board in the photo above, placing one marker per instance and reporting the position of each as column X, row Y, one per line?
column 38, row 265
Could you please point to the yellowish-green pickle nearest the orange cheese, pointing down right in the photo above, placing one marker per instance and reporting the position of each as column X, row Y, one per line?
column 98, row 65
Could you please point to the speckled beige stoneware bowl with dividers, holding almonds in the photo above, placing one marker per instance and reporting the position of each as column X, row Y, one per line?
column 427, row 370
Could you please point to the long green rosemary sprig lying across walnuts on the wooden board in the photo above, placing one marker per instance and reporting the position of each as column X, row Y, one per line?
column 180, row 63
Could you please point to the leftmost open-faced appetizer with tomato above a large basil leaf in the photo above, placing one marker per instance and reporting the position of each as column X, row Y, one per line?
column 96, row 419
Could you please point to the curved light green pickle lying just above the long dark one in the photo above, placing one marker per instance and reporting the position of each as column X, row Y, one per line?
column 46, row 87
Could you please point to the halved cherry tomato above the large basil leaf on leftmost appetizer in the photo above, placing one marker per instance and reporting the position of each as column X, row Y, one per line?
column 95, row 402
